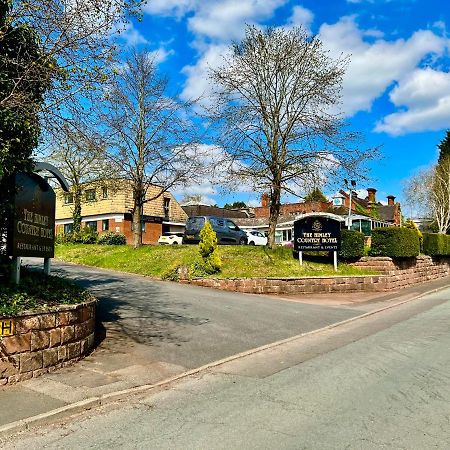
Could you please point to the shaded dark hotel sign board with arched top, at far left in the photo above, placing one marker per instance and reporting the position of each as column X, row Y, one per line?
column 32, row 230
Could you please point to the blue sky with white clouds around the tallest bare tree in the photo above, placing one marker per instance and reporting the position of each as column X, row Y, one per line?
column 396, row 89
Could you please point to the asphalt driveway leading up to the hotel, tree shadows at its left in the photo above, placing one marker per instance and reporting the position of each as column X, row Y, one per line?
column 190, row 326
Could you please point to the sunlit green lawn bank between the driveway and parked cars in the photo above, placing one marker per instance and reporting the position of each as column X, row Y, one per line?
column 162, row 261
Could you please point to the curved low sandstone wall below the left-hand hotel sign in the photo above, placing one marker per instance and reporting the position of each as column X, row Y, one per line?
column 44, row 341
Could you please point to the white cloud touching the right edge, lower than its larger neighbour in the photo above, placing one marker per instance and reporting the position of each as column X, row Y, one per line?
column 425, row 95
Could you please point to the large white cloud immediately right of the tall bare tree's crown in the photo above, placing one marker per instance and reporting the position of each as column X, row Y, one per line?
column 374, row 67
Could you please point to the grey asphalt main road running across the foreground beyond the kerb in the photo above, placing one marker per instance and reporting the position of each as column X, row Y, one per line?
column 381, row 382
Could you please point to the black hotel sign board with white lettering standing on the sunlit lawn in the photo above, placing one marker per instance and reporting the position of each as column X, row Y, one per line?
column 317, row 233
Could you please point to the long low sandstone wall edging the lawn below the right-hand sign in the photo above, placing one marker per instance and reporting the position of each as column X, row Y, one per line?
column 394, row 275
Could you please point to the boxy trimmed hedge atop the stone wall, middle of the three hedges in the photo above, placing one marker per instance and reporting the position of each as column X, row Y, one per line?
column 396, row 242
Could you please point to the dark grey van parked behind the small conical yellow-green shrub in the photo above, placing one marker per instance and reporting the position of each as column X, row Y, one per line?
column 226, row 230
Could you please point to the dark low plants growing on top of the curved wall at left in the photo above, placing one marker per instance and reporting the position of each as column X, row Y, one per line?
column 38, row 291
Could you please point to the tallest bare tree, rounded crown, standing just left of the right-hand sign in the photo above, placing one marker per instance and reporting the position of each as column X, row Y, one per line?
column 277, row 101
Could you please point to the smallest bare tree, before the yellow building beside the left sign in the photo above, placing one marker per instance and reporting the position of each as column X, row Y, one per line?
column 80, row 153
